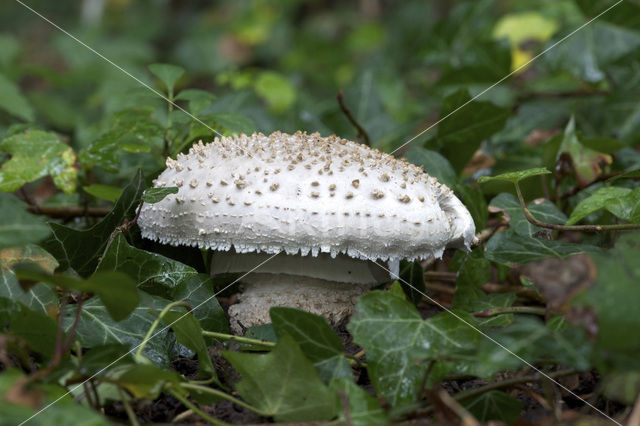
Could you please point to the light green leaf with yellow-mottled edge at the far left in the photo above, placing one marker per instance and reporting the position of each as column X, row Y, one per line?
column 35, row 154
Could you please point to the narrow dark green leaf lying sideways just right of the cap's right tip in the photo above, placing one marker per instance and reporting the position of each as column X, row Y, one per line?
column 510, row 248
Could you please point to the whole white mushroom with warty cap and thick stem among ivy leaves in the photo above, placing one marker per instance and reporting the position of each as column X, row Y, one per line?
column 334, row 208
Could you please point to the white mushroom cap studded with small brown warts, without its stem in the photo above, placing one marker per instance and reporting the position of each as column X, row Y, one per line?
column 305, row 194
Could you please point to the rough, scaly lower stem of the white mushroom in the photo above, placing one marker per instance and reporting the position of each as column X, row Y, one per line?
column 333, row 300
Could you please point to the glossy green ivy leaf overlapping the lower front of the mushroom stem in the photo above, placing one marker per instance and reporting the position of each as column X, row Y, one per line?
column 316, row 339
